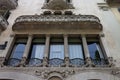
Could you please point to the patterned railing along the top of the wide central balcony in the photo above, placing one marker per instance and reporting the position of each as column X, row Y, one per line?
column 55, row 18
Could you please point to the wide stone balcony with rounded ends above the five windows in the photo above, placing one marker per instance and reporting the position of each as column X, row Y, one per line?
column 65, row 22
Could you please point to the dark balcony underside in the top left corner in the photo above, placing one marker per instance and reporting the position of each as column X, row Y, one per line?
column 8, row 4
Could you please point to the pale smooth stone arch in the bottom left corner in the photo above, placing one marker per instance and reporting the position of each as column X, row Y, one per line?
column 17, row 76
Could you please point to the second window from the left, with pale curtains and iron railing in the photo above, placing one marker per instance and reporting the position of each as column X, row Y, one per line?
column 37, row 52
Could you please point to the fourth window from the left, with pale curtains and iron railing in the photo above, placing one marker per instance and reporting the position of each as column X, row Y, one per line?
column 76, row 51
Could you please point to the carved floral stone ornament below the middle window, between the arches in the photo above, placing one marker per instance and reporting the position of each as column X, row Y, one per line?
column 46, row 74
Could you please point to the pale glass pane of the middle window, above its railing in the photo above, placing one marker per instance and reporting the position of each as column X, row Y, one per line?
column 56, row 51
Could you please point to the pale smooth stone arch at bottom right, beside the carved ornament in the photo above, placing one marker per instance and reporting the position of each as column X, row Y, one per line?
column 93, row 76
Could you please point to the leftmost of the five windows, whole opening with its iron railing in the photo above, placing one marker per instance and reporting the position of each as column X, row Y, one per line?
column 17, row 52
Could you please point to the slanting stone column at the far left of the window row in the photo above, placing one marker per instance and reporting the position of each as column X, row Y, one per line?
column 7, row 52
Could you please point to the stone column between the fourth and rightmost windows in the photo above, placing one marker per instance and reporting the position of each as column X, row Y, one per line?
column 86, row 51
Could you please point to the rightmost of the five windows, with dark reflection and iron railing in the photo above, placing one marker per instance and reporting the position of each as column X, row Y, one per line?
column 96, row 52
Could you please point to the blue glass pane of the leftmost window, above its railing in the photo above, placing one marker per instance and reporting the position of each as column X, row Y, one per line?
column 18, row 51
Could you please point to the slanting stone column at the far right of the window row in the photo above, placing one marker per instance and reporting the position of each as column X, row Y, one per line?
column 106, row 50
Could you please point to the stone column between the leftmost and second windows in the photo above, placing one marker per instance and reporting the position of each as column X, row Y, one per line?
column 26, row 52
